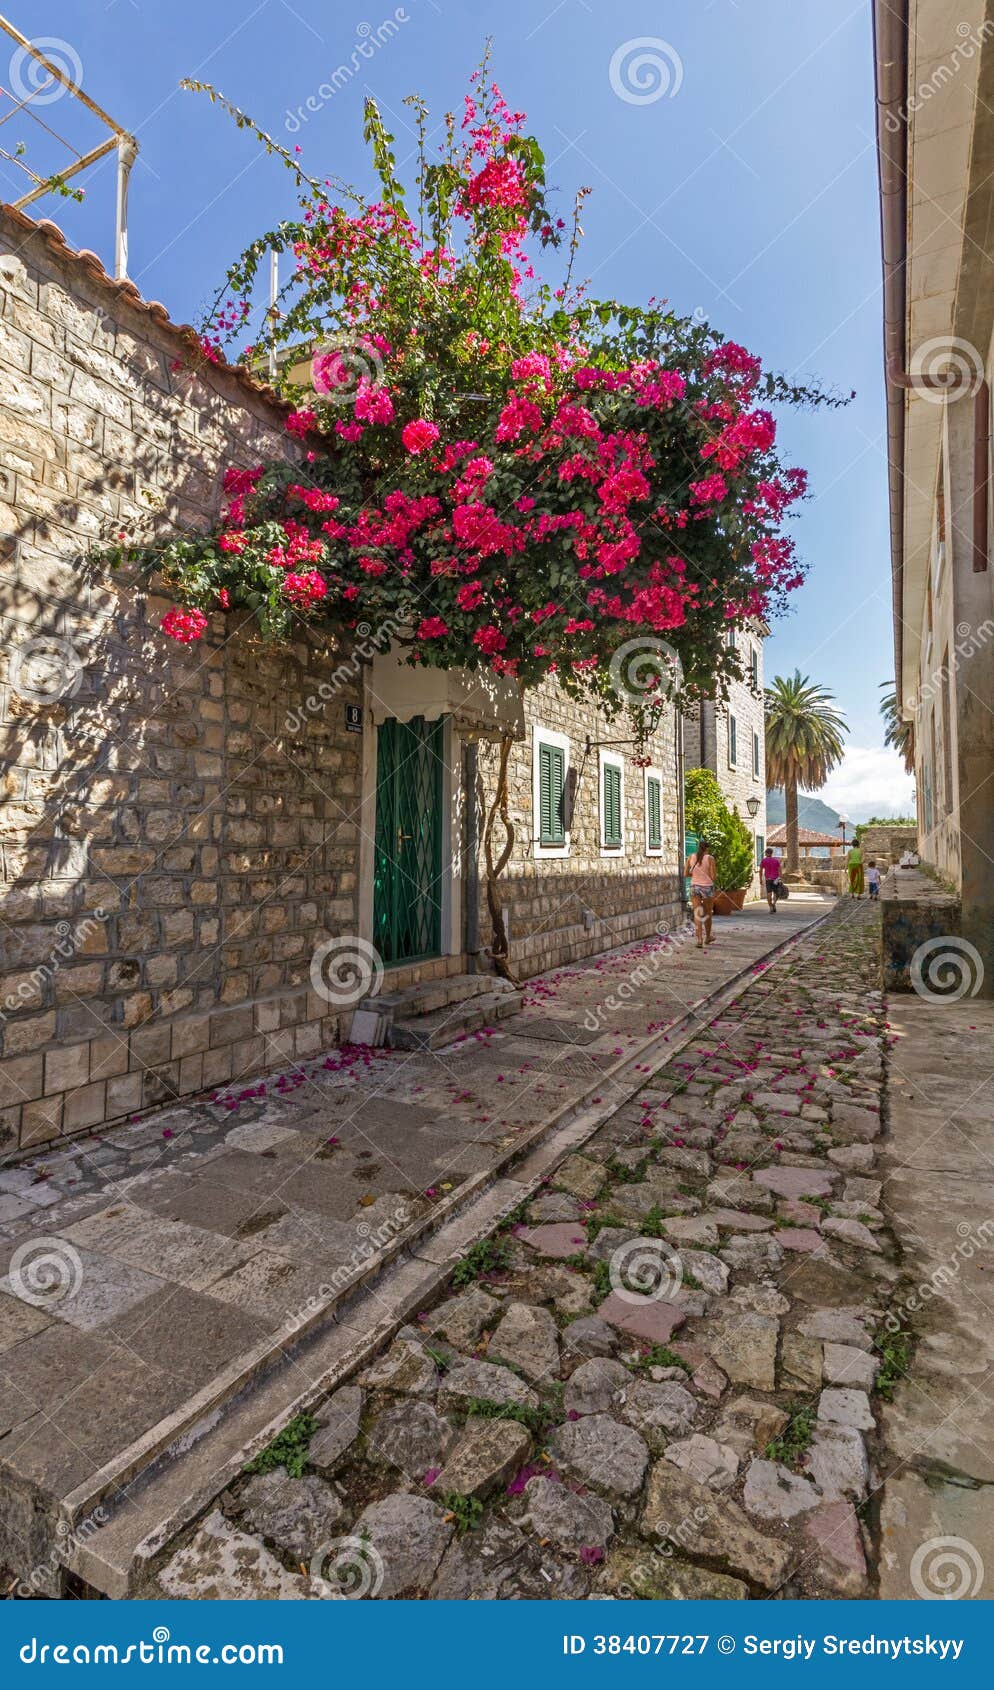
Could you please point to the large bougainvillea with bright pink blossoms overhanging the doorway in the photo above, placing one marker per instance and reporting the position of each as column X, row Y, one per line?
column 527, row 479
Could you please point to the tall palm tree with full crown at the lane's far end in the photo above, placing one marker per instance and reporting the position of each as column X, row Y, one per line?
column 804, row 744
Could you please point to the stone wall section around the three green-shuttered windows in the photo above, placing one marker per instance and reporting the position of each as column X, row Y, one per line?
column 564, row 908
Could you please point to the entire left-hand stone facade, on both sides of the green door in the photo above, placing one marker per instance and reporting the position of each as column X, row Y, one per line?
column 182, row 831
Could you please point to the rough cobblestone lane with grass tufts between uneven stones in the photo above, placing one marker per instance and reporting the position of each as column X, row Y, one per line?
column 662, row 1380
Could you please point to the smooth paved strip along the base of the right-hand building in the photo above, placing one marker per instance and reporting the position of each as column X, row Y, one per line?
column 939, row 1189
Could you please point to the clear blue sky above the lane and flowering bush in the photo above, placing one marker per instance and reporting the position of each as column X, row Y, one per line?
column 746, row 188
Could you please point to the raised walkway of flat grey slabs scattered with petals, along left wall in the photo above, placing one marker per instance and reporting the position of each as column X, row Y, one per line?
column 158, row 1263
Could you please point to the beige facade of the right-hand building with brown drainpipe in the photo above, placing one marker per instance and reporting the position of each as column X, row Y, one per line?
column 939, row 346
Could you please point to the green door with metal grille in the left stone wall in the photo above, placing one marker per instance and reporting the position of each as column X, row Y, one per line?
column 408, row 842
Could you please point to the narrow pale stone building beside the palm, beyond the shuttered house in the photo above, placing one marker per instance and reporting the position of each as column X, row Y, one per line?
column 729, row 739
